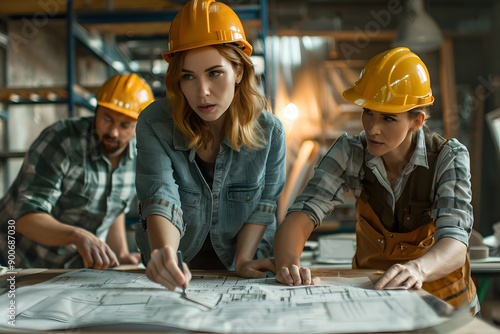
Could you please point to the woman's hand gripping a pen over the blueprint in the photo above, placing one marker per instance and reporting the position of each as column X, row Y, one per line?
column 163, row 269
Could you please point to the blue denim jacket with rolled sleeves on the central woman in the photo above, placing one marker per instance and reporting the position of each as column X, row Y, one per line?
column 245, row 189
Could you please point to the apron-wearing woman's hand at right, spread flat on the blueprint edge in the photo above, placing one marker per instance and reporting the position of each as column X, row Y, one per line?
column 408, row 275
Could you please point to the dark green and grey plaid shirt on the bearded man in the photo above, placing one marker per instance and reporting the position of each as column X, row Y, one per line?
column 65, row 175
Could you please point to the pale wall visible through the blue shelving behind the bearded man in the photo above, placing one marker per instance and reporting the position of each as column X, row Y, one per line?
column 37, row 57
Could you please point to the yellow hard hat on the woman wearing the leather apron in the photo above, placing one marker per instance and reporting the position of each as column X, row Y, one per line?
column 393, row 81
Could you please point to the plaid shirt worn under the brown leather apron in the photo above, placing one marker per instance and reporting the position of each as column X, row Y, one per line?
column 341, row 170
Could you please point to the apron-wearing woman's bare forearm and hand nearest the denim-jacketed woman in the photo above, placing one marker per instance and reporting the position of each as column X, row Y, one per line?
column 289, row 242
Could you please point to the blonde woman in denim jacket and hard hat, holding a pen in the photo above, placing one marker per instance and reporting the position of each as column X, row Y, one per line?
column 211, row 160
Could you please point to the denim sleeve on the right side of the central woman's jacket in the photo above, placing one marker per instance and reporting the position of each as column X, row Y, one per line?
column 275, row 176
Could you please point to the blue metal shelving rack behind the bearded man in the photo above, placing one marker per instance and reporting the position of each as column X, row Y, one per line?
column 74, row 95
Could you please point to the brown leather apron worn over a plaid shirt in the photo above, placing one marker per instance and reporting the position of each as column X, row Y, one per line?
column 381, row 244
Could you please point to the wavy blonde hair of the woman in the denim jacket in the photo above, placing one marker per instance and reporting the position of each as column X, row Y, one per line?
column 241, row 126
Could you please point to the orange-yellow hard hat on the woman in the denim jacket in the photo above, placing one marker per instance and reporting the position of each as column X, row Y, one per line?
column 202, row 23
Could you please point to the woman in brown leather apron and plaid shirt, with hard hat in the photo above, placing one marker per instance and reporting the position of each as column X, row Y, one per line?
column 412, row 189
